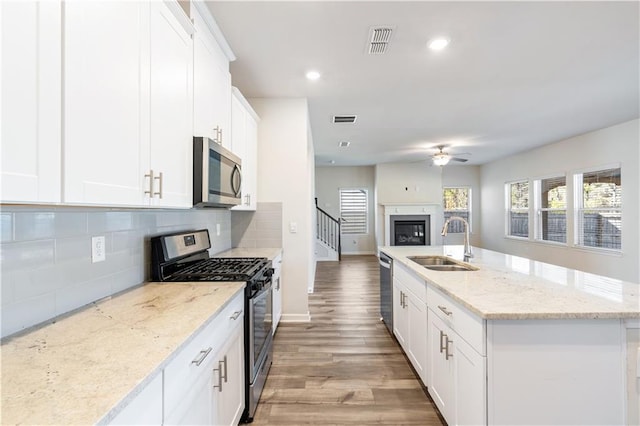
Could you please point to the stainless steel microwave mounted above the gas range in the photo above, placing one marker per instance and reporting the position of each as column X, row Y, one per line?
column 217, row 175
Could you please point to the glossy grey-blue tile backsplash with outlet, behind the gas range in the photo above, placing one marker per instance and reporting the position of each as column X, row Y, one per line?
column 45, row 255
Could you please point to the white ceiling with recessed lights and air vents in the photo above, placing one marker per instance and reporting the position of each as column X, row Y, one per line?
column 516, row 75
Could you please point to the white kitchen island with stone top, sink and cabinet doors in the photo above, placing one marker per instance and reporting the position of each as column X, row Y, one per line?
column 517, row 341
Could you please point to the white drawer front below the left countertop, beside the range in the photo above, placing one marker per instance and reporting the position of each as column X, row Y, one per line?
column 198, row 355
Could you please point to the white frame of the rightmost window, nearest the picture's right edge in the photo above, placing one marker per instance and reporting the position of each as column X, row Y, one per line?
column 578, row 208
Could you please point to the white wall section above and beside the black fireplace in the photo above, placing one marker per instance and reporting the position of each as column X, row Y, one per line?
column 411, row 183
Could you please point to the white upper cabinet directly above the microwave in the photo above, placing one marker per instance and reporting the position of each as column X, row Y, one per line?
column 212, row 80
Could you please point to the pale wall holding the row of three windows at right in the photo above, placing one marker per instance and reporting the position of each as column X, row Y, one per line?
column 619, row 144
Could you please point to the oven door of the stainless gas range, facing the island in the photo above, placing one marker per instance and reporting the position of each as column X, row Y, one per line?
column 260, row 327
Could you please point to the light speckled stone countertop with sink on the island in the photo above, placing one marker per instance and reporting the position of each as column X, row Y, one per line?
column 512, row 287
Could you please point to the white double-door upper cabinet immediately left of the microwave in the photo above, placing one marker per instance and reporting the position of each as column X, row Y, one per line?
column 128, row 104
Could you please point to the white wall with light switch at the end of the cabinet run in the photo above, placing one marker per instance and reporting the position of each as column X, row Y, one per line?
column 284, row 170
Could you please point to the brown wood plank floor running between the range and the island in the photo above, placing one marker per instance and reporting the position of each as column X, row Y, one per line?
column 343, row 367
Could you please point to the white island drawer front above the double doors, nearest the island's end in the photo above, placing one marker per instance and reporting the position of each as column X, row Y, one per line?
column 469, row 326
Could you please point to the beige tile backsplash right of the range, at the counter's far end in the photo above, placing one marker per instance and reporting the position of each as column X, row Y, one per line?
column 259, row 229
